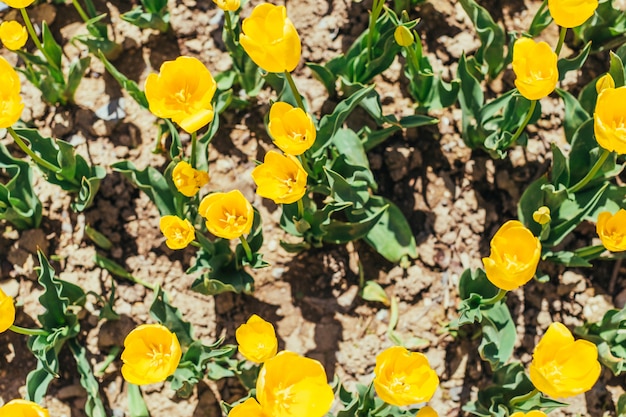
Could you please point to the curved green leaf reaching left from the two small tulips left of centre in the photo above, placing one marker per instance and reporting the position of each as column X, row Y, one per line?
column 152, row 182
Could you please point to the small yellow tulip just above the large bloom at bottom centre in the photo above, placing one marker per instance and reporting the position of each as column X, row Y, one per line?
column 257, row 340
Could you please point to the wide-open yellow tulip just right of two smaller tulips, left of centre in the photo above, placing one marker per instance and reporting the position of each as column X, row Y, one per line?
column 228, row 215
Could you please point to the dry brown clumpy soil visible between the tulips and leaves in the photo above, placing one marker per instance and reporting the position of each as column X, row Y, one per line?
column 455, row 198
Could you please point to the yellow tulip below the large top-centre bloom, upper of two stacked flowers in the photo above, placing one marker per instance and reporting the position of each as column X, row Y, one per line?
column 291, row 128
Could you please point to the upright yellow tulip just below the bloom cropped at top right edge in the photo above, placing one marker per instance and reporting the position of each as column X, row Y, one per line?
column 534, row 65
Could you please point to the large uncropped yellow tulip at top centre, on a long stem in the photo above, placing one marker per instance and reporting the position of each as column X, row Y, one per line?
column 270, row 39
